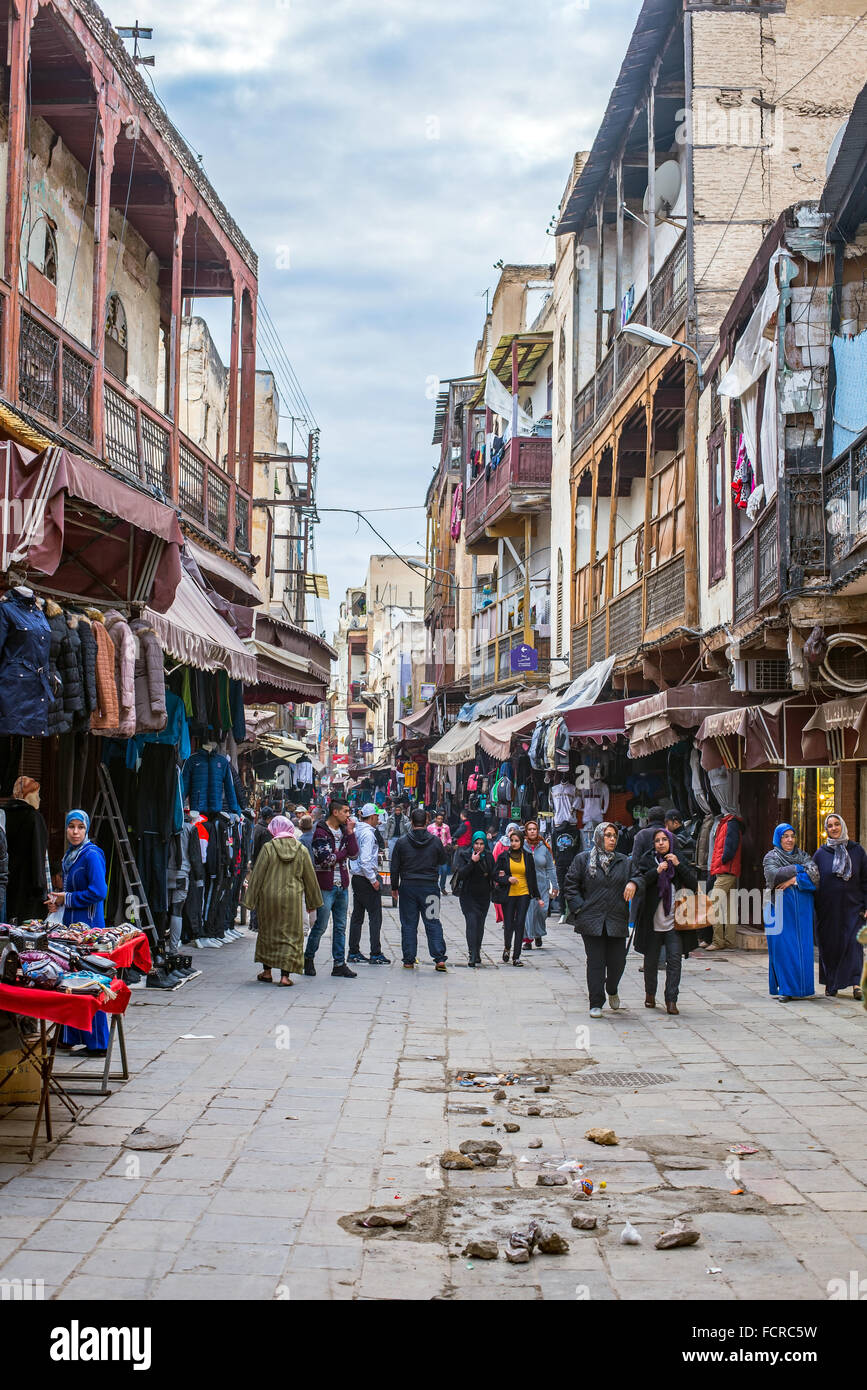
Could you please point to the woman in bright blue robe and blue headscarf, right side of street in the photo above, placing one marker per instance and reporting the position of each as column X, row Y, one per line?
column 793, row 879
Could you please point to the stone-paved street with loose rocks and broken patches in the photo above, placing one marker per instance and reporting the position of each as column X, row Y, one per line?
column 283, row 1138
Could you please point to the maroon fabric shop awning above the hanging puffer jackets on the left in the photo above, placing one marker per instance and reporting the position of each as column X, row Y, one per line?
column 85, row 530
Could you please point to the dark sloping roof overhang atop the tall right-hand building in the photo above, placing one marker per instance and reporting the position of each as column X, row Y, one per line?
column 651, row 31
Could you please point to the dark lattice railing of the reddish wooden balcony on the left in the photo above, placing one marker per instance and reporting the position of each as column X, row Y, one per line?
column 56, row 387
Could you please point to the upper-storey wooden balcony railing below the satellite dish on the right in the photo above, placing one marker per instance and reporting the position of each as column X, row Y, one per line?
column 622, row 365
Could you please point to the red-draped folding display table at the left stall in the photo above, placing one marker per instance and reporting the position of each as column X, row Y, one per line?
column 59, row 1010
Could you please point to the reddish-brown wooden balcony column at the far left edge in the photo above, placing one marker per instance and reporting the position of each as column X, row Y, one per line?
column 19, row 55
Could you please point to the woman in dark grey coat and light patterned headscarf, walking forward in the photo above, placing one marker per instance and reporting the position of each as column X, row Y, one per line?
column 598, row 890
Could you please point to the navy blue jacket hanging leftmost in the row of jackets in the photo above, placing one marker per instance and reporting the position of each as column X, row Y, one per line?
column 26, row 692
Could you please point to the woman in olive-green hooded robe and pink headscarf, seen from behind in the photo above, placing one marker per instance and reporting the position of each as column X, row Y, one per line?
column 280, row 886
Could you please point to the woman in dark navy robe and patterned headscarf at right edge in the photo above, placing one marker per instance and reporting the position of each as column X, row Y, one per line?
column 841, row 908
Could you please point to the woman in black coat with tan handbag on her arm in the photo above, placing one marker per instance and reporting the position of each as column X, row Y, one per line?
column 663, row 874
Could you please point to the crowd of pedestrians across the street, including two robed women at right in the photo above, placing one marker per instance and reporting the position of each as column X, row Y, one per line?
column 636, row 889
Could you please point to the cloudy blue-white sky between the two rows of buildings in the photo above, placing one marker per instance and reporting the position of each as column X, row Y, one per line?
column 381, row 156
